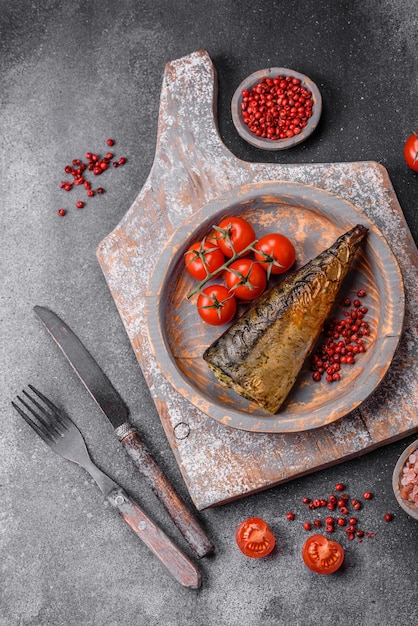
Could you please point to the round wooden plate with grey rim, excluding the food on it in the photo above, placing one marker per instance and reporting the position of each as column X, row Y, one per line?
column 312, row 219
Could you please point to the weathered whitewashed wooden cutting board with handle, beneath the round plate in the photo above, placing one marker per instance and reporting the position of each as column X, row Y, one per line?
column 191, row 168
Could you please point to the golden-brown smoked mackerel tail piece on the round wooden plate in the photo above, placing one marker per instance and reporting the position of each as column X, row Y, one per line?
column 262, row 353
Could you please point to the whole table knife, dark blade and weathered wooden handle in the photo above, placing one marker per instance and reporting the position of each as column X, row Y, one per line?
column 115, row 409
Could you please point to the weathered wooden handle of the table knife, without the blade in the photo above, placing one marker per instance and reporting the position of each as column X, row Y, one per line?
column 174, row 505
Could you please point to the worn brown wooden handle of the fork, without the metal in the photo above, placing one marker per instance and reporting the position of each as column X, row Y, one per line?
column 178, row 564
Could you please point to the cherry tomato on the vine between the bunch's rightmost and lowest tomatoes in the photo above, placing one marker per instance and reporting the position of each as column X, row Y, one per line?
column 246, row 279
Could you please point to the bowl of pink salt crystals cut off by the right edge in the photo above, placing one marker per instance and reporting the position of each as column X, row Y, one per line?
column 405, row 480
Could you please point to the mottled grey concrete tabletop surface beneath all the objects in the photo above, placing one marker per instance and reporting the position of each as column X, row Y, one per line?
column 71, row 75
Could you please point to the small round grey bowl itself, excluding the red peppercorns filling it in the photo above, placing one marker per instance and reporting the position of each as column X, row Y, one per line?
column 275, row 144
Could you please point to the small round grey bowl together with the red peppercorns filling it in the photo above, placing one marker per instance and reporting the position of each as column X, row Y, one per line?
column 276, row 108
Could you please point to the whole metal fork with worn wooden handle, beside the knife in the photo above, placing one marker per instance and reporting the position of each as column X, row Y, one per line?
column 63, row 437
